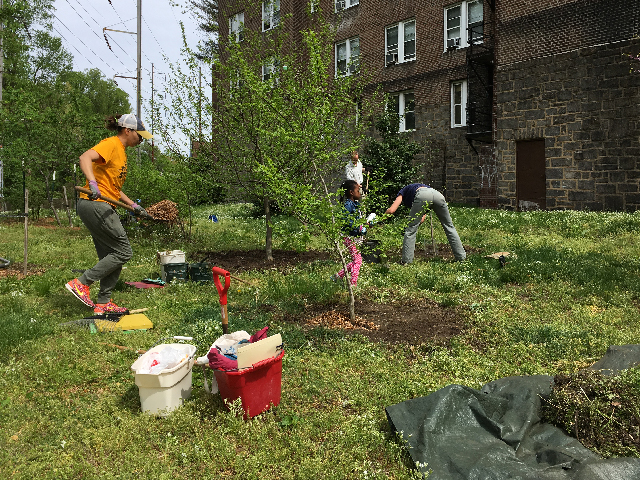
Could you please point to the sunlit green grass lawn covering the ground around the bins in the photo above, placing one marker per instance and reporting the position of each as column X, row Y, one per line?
column 69, row 407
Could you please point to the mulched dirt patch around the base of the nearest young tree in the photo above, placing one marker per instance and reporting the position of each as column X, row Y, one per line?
column 414, row 322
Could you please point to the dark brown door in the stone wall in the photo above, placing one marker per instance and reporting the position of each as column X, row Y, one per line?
column 531, row 188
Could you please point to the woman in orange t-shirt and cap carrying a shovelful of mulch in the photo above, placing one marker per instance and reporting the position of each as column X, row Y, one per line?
column 105, row 167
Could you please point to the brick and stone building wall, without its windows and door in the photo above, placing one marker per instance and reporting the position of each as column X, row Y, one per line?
column 560, row 75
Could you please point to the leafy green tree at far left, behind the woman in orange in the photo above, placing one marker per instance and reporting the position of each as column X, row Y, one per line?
column 49, row 114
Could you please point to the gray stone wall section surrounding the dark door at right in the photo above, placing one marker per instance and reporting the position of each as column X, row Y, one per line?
column 584, row 104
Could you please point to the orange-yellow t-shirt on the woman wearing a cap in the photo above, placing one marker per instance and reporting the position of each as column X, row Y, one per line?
column 111, row 170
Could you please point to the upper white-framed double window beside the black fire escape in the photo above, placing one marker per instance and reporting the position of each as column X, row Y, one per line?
column 463, row 24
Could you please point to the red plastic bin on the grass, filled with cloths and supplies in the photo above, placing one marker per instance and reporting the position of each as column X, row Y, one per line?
column 259, row 387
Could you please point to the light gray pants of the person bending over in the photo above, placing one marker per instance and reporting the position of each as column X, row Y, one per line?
column 438, row 204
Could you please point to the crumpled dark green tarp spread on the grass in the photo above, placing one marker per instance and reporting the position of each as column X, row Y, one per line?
column 495, row 433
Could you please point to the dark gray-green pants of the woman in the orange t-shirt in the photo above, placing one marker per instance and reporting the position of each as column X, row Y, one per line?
column 111, row 242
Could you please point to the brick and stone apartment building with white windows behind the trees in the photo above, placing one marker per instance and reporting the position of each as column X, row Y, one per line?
column 525, row 104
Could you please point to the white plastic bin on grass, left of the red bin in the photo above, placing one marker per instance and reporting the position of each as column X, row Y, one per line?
column 161, row 394
